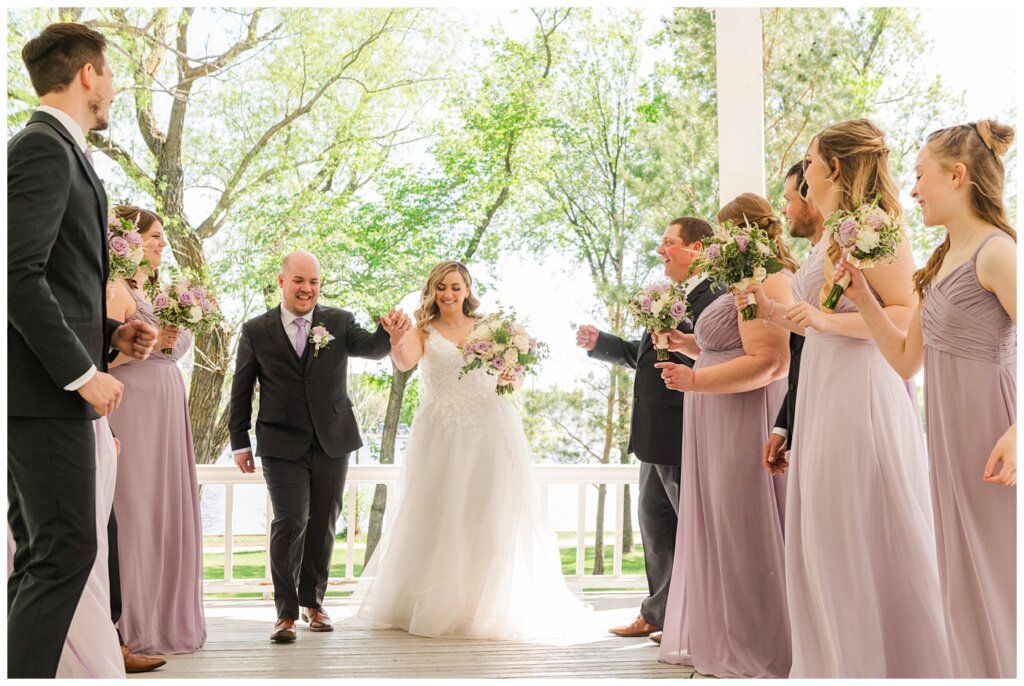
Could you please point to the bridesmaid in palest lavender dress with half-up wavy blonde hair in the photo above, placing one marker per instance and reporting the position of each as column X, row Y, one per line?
column 862, row 574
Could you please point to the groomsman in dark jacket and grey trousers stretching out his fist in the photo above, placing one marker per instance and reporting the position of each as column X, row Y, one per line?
column 657, row 427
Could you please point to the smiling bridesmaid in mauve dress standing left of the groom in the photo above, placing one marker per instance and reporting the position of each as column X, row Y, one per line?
column 157, row 498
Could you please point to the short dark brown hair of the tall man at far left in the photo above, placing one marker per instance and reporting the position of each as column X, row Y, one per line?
column 56, row 56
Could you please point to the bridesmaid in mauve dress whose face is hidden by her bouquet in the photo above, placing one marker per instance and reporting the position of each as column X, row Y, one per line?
column 727, row 614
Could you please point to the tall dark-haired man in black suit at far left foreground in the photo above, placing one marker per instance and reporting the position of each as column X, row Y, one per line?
column 60, row 341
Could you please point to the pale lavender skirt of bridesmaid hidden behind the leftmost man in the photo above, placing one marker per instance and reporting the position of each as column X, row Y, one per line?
column 92, row 650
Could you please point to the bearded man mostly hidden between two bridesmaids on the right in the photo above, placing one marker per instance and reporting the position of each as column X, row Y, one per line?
column 805, row 223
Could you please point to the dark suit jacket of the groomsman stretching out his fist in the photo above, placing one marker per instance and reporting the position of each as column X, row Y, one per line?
column 657, row 426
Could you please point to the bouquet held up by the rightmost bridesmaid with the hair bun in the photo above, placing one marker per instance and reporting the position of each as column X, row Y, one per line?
column 868, row 236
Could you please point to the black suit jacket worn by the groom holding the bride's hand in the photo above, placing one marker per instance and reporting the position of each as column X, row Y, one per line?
column 300, row 398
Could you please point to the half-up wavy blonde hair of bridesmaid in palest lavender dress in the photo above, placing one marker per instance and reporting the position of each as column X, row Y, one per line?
column 864, row 175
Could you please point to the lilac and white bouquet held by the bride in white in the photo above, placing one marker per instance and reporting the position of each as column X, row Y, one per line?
column 502, row 348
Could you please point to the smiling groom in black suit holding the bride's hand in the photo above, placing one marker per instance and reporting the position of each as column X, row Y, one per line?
column 306, row 430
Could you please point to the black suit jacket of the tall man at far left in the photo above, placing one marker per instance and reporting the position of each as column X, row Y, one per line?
column 57, row 272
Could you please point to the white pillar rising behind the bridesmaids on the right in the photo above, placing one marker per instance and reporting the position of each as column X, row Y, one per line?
column 741, row 103
